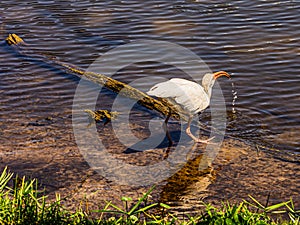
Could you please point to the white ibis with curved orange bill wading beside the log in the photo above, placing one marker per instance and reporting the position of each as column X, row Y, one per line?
column 190, row 95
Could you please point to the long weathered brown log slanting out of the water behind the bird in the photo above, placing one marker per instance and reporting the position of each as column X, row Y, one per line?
column 163, row 106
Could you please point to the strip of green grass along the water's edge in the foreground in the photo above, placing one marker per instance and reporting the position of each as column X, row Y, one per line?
column 24, row 204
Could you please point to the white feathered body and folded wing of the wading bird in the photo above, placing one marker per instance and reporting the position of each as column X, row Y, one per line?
column 188, row 94
